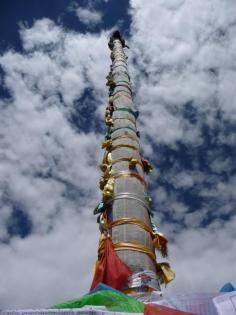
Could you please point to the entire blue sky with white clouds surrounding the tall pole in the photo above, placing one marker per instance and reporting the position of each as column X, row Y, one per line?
column 53, row 63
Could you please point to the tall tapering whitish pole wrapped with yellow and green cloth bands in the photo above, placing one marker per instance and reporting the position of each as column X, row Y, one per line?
column 124, row 185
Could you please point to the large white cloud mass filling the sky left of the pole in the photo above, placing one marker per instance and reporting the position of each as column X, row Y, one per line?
column 48, row 167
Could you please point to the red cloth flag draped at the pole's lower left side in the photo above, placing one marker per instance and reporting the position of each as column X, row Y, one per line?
column 110, row 269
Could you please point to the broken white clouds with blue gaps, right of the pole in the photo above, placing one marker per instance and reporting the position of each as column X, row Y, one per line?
column 182, row 59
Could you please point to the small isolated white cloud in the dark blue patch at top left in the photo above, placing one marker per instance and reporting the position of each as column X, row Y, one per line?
column 88, row 16
